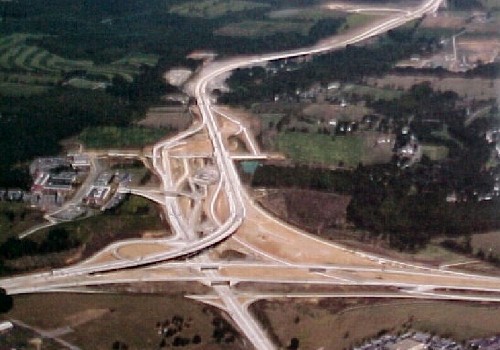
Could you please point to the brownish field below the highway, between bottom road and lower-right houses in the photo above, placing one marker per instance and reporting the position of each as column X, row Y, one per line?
column 336, row 324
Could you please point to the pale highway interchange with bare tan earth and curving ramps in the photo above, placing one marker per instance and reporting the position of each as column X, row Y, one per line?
column 209, row 211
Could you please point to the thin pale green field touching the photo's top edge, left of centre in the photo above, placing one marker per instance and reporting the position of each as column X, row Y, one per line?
column 214, row 8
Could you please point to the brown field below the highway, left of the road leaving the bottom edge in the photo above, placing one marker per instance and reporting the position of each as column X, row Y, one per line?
column 97, row 321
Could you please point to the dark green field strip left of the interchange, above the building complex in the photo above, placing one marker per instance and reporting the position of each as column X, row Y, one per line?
column 115, row 137
